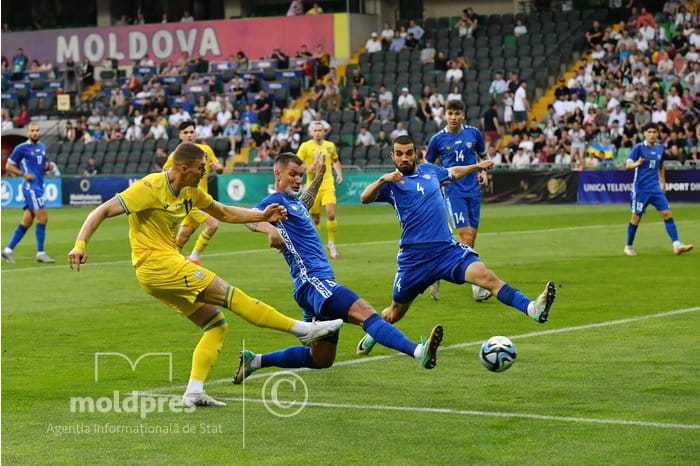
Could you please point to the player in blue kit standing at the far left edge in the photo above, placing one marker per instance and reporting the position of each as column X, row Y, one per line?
column 29, row 161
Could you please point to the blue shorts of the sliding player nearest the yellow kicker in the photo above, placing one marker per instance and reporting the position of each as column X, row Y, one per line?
column 325, row 299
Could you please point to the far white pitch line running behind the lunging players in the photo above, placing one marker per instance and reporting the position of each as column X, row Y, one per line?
column 62, row 267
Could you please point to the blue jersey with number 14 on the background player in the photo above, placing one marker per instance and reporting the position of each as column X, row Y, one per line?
column 457, row 150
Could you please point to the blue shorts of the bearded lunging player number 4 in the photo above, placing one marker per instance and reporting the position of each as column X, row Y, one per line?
column 420, row 266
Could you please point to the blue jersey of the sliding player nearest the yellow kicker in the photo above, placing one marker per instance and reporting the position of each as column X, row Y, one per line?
column 304, row 251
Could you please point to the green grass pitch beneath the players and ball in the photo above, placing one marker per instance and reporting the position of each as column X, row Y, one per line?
column 613, row 378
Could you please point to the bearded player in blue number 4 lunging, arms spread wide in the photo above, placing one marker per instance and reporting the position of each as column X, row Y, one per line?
column 427, row 250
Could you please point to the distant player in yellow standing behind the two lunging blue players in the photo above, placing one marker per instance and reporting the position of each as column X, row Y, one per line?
column 326, row 194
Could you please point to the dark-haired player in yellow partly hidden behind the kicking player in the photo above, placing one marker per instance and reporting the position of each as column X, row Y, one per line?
column 196, row 216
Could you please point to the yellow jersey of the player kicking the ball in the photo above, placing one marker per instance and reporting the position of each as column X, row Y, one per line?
column 155, row 211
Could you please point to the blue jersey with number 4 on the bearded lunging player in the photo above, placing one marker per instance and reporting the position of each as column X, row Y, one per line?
column 419, row 205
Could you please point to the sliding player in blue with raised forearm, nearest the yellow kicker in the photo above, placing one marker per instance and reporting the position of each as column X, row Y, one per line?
column 315, row 288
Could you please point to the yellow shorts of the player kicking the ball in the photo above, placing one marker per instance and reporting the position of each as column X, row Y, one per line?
column 175, row 281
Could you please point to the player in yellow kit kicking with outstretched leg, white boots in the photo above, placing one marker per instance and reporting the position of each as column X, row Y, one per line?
column 156, row 204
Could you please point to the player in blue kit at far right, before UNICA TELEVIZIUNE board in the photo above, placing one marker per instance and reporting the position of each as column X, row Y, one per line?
column 649, row 187
